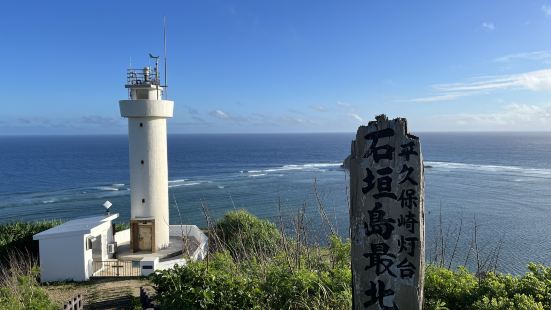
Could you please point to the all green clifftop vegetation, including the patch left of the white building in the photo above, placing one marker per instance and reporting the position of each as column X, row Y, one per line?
column 255, row 264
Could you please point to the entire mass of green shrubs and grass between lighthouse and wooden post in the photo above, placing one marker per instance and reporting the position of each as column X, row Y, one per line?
column 253, row 267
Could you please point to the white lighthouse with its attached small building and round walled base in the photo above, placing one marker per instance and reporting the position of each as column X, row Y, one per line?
column 91, row 247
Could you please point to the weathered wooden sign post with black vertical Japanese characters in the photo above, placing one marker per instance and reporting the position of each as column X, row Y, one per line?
column 387, row 216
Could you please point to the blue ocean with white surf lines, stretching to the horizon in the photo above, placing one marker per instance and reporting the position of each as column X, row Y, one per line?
column 500, row 181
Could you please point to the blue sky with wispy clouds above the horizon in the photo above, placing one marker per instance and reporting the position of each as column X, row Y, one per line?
column 280, row 66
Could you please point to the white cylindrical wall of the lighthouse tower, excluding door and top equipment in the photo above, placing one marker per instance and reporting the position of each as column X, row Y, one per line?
column 149, row 181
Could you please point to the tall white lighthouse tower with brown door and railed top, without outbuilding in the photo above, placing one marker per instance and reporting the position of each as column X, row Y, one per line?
column 147, row 113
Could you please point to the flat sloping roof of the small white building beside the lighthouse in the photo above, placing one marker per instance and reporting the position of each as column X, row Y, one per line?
column 77, row 226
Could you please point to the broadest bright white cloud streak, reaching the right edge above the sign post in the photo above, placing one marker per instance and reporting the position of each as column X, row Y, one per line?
column 539, row 80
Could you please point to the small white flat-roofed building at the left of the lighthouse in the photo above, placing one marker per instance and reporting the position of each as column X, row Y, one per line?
column 67, row 251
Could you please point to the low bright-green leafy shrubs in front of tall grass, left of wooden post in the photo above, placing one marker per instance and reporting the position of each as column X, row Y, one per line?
column 226, row 284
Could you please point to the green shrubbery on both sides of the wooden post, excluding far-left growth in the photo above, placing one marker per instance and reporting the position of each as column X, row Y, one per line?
column 305, row 276
